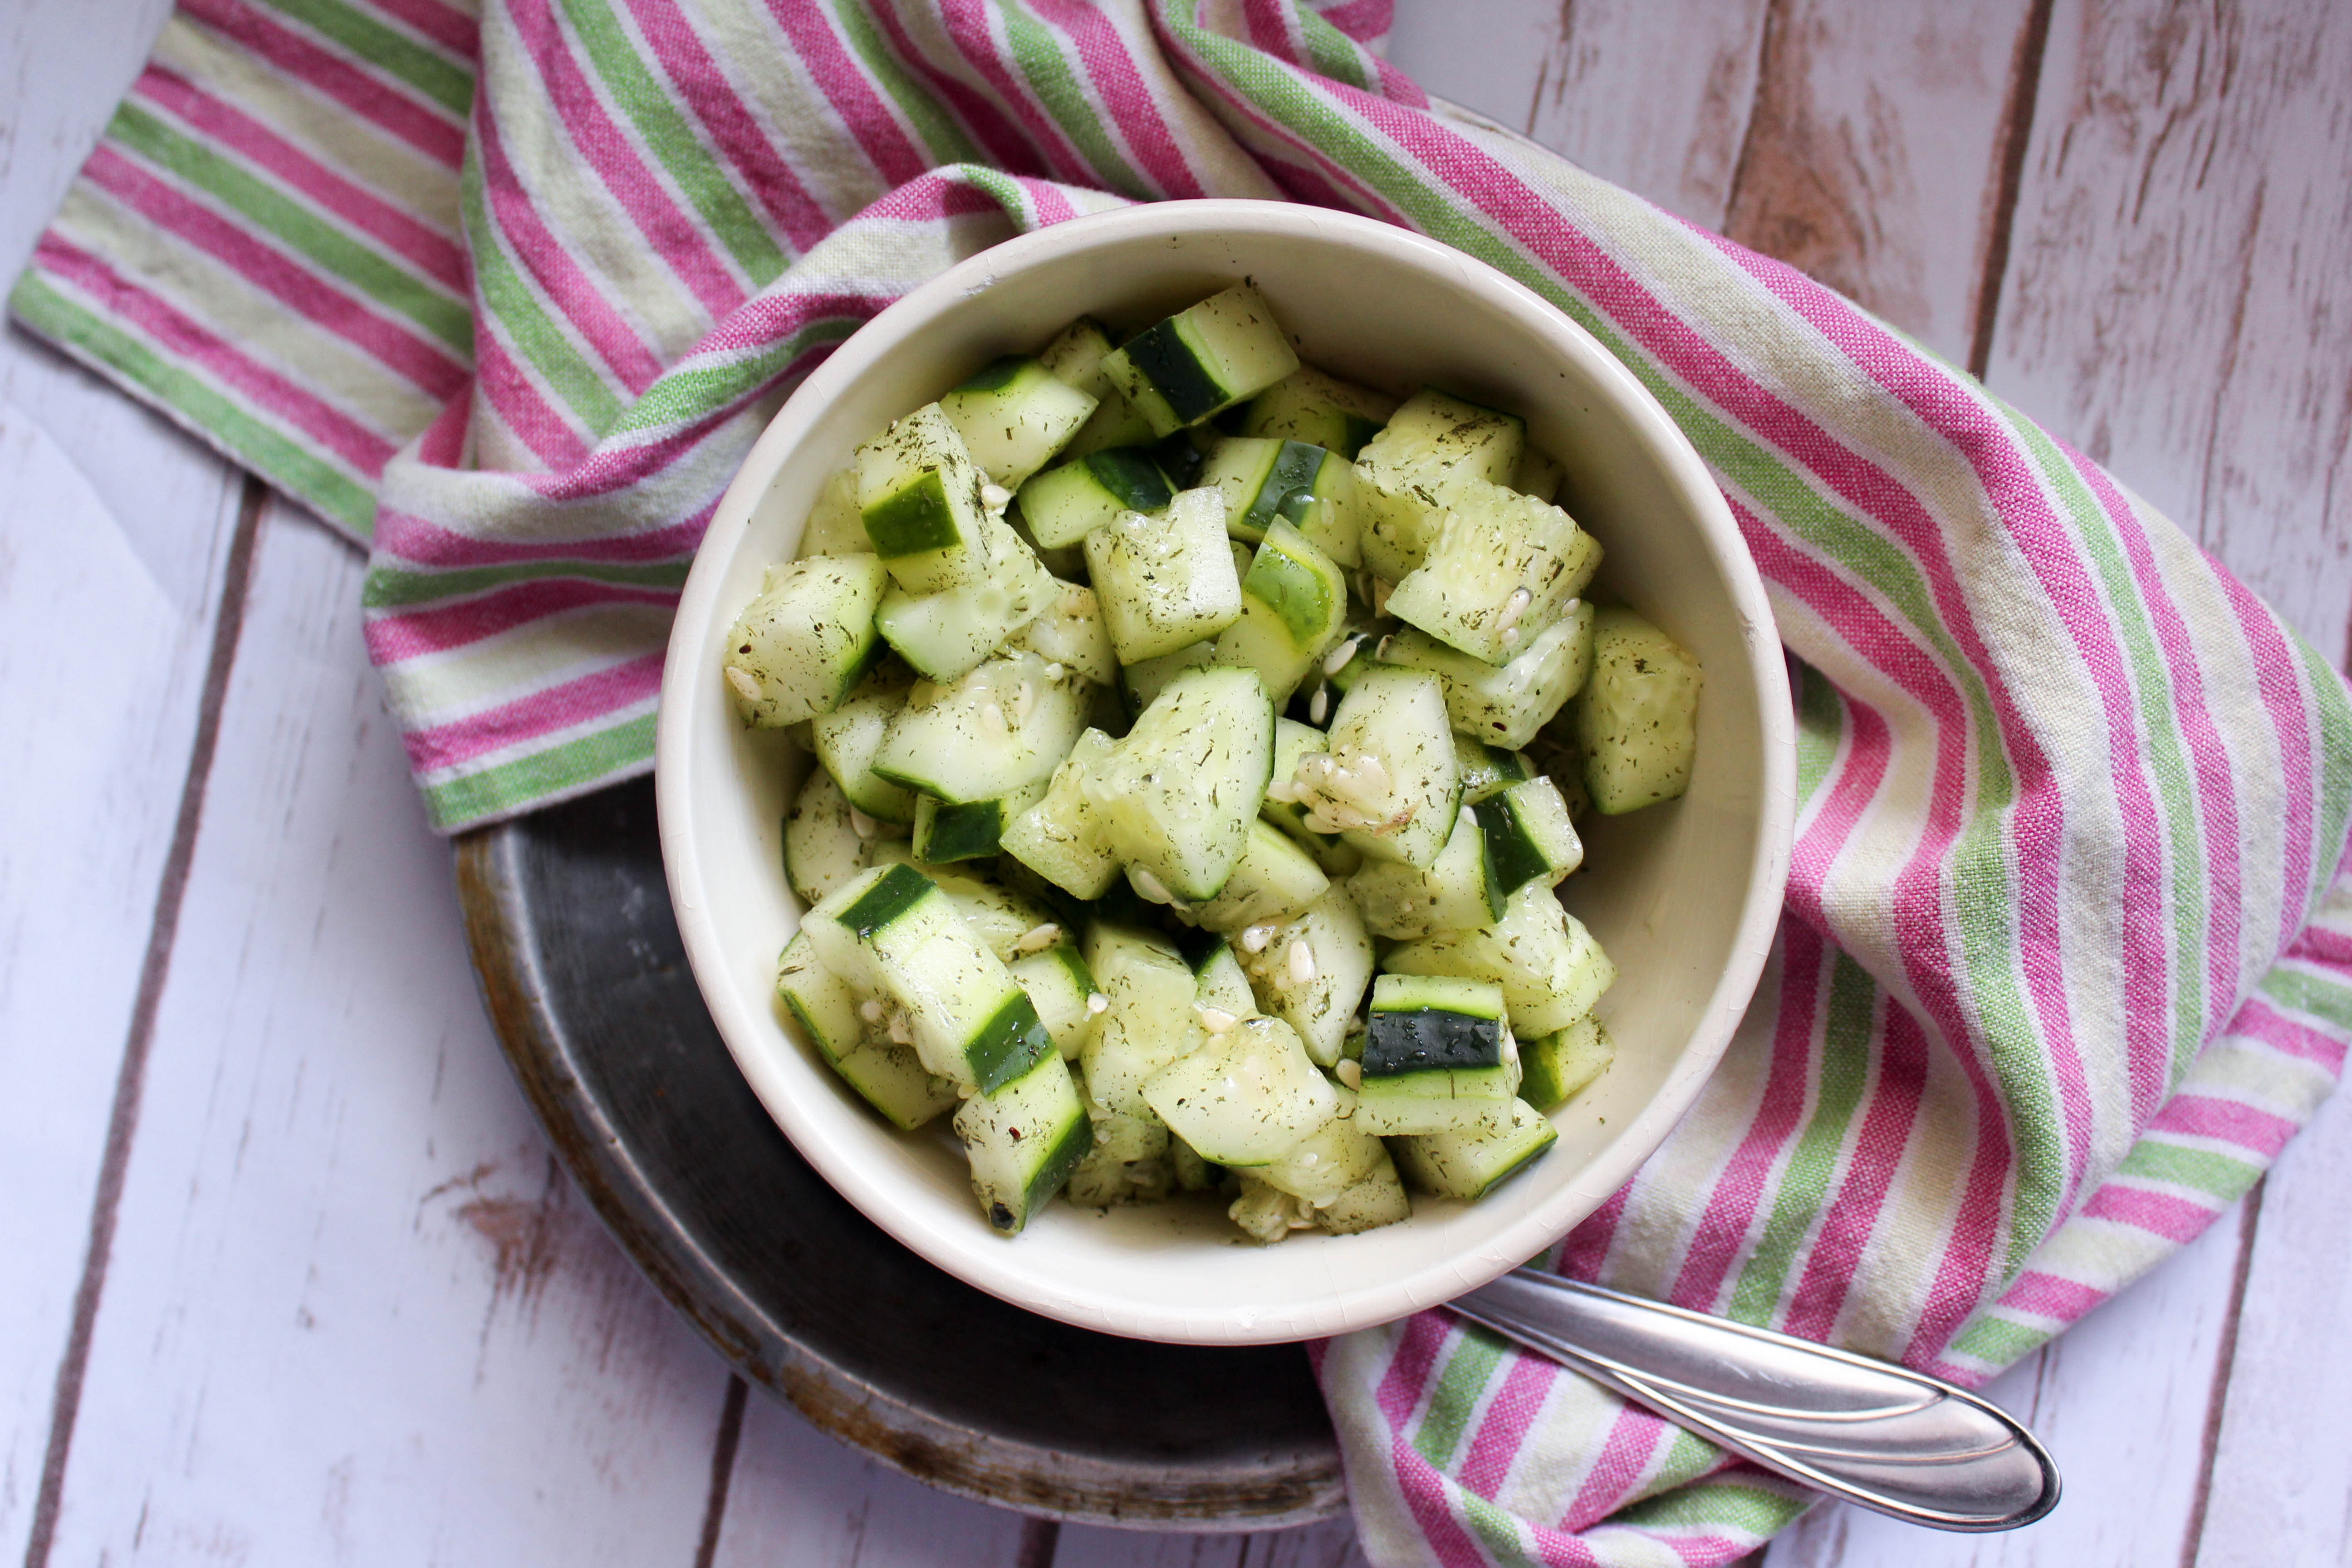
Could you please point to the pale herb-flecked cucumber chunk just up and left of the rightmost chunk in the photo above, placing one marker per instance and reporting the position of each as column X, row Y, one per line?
column 1499, row 572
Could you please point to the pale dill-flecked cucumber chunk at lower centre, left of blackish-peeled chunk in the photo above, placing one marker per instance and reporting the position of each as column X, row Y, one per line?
column 1243, row 1097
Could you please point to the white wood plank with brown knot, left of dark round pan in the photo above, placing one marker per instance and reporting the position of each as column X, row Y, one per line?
column 356, row 1313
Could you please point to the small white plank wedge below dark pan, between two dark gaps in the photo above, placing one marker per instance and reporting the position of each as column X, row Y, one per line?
column 803, row 1501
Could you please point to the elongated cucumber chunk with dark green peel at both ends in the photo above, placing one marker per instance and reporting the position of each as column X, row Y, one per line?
column 893, row 932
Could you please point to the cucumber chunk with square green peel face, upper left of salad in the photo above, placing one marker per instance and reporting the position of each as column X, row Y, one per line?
column 921, row 504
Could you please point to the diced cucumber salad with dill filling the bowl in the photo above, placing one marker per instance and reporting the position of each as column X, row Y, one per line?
column 1201, row 742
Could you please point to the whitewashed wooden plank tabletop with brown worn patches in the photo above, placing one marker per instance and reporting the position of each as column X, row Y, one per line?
column 295, row 1280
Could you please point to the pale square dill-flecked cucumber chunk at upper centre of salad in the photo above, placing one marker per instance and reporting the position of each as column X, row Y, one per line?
column 1165, row 579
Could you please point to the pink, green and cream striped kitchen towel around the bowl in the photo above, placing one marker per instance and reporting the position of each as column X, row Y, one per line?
column 2069, row 944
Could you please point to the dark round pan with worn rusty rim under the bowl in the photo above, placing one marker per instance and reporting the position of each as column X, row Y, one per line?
column 596, row 1007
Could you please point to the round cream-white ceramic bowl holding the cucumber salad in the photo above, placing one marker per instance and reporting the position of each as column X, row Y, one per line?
column 1683, row 897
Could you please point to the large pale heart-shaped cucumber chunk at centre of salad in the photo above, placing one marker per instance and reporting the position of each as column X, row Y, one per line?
column 1180, row 793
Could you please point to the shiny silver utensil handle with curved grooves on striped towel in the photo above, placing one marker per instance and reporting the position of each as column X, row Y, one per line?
column 1855, row 1428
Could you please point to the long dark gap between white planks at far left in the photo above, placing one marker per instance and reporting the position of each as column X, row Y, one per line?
column 156, row 967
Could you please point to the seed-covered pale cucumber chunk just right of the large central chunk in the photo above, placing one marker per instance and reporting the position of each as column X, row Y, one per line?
column 1387, row 775
